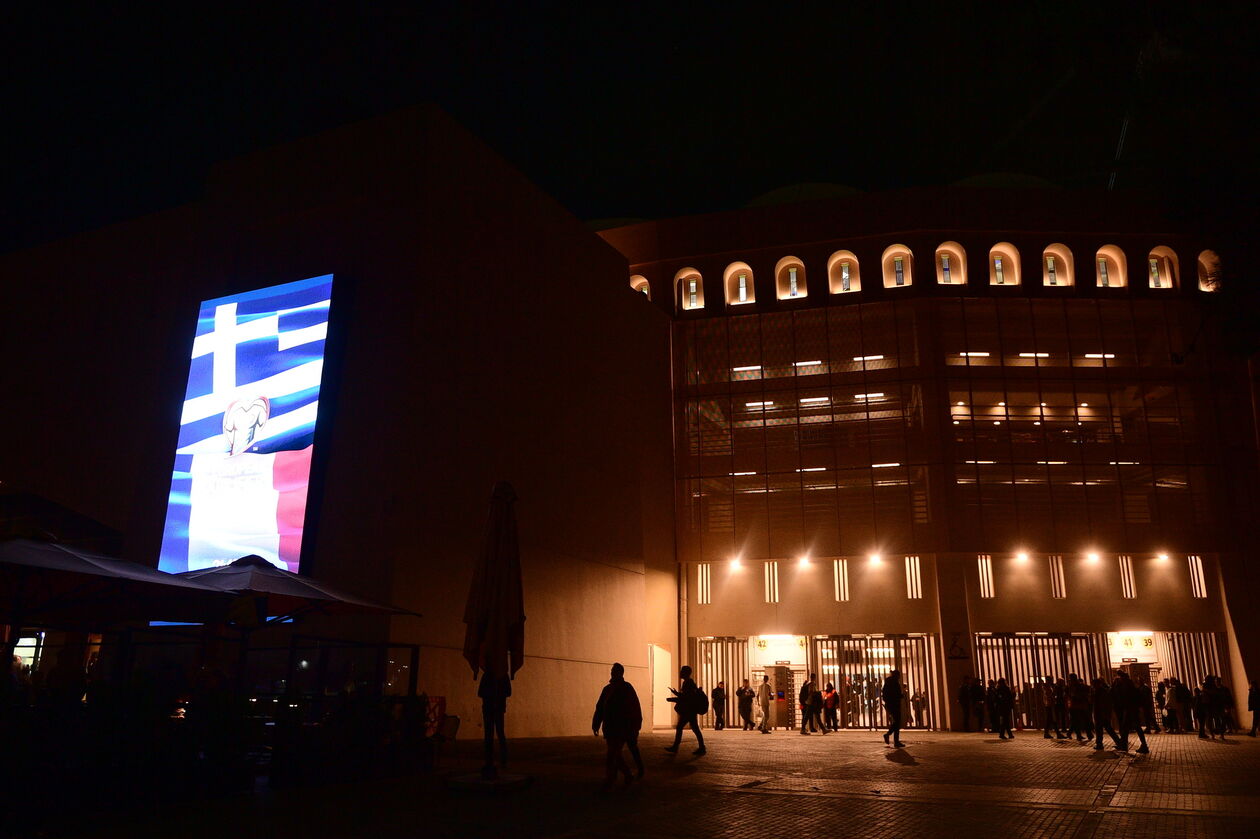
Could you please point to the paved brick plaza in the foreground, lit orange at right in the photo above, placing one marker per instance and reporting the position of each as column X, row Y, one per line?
column 774, row 787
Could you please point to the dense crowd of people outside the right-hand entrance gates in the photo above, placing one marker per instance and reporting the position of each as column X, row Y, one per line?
column 1075, row 709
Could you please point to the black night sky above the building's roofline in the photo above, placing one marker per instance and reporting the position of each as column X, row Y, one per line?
column 628, row 110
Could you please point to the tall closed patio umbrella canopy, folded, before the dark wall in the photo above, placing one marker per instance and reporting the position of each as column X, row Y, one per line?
column 496, row 612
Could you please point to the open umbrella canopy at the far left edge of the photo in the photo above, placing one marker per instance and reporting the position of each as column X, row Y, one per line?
column 55, row 585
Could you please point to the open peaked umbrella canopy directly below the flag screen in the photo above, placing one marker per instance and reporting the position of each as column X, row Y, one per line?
column 285, row 591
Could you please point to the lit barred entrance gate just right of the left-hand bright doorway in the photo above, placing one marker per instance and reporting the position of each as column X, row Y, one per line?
column 857, row 666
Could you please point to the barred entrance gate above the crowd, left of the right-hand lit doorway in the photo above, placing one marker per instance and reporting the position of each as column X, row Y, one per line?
column 1024, row 659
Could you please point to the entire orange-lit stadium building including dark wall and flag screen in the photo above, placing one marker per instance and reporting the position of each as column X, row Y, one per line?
column 963, row 431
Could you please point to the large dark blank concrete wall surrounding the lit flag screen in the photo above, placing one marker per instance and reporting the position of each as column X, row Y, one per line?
column 483, row 334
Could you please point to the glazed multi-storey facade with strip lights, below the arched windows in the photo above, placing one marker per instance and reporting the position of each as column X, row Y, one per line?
column 942, row 425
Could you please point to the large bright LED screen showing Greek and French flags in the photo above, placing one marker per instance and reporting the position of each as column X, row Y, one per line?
column 248, row 429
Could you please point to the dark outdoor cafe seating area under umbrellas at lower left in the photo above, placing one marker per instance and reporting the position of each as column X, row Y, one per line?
column 133, row 687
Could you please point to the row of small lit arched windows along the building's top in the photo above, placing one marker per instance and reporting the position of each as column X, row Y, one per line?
column 898, row 270
